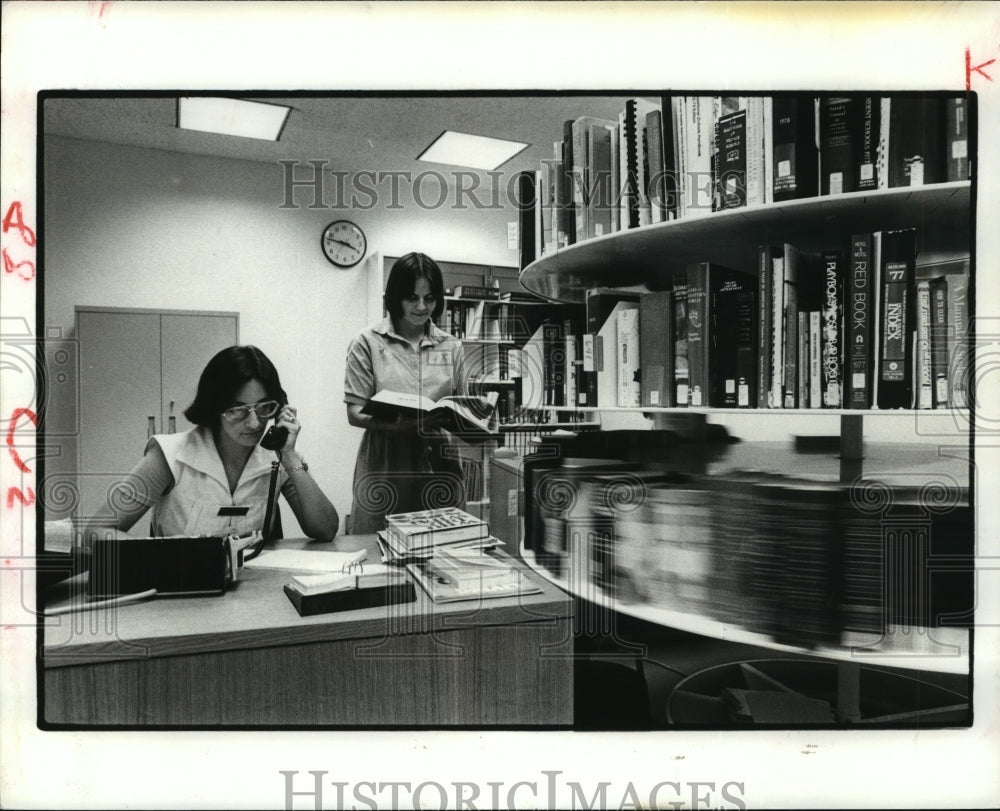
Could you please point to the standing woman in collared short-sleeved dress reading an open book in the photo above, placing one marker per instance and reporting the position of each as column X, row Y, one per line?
column 404, row 465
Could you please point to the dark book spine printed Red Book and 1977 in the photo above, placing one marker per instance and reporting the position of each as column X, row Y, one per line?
column 859, row 317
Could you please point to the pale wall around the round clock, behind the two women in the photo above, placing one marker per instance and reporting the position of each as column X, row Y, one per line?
column 130, row 227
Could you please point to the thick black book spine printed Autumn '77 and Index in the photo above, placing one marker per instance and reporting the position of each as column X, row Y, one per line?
column 895, row 386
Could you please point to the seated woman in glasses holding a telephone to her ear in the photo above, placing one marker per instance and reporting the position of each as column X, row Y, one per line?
column 189, row 478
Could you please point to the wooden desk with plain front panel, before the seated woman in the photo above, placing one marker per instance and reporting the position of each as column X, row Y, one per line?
column 247, row 658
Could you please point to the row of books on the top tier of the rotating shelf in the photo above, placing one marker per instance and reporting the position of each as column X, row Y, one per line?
column 678, row 156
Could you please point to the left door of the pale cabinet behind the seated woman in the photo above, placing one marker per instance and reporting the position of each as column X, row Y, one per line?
column 119, row 391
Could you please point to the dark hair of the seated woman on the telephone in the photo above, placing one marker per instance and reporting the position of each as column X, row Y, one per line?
column 227, row 373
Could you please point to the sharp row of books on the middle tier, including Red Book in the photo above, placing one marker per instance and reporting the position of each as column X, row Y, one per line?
column 856, row 326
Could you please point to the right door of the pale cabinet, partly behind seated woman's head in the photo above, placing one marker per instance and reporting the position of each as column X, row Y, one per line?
column 188, row 342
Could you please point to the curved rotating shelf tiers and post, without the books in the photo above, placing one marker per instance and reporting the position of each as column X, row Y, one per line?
column 646, row 258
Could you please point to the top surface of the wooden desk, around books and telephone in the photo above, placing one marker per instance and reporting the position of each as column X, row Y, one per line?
column 255, row 612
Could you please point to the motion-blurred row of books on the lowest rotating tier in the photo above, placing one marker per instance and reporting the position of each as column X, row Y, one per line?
column 796, row 559
